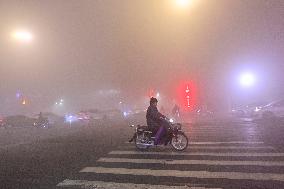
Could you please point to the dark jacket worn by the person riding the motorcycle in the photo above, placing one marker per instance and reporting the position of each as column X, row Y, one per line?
column 153, row 117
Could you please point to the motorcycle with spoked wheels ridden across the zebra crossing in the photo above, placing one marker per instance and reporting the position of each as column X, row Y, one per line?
column 144, row 138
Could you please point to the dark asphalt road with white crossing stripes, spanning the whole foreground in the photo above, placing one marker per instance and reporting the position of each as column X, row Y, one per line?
column 231, row 154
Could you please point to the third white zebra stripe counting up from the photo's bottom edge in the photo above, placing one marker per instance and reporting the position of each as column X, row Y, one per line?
column 192, row 162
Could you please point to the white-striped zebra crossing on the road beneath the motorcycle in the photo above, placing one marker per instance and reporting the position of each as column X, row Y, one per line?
column 205, row 164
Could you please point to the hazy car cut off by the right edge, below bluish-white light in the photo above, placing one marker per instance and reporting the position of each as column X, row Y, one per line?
column 271, row 110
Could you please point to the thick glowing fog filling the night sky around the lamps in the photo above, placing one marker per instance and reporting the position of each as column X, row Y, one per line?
column 97, row 53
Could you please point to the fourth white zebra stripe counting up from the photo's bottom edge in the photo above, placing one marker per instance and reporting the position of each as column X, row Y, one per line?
column 233, row 154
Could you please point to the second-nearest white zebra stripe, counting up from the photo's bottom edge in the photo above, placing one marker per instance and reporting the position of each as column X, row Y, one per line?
column 186, row 174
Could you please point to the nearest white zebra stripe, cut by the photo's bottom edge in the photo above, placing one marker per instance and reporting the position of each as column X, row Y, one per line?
column 114, row 185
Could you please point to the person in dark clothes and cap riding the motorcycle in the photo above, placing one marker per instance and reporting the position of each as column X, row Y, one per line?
column 155, row 121
